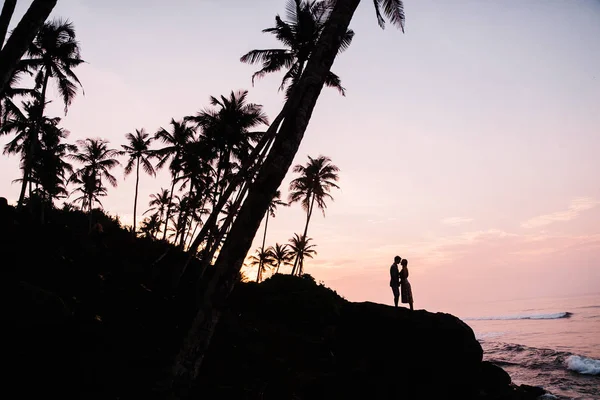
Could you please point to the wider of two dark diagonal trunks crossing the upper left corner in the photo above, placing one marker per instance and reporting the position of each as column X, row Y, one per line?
column 21, row 37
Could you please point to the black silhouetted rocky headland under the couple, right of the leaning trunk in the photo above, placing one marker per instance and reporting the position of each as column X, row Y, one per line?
column 290, row 338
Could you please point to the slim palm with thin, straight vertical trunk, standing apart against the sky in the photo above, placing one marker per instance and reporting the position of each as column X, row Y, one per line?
column 139, row 152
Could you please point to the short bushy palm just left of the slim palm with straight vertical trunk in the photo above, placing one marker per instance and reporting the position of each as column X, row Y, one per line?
column 97, row 160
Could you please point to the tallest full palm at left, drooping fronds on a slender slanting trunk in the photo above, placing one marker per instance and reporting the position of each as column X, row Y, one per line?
column 53, row 53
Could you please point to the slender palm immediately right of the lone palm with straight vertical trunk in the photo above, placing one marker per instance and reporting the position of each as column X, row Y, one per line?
column 175, row 140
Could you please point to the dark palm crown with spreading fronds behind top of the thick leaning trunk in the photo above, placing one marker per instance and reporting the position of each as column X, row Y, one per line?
column 299, row 34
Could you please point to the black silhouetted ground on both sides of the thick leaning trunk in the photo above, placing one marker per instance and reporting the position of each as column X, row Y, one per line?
column 98, row 318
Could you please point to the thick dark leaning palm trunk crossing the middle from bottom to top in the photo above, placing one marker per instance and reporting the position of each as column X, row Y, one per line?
column 302, row 102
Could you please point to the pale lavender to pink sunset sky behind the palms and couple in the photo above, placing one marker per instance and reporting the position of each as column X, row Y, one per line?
column 468, row 145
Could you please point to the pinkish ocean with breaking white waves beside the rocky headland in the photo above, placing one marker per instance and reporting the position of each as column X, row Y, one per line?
column 552, row 343
